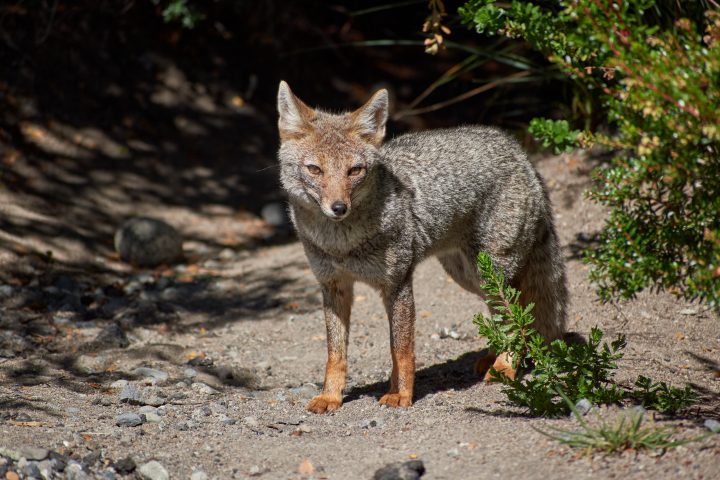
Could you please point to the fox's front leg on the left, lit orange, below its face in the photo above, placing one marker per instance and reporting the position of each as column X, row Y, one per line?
column 337, row 302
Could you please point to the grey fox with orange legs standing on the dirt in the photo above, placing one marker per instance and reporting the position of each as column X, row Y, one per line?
column 368, row 210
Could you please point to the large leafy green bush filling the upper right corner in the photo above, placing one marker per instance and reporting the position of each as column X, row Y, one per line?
column 657, row 75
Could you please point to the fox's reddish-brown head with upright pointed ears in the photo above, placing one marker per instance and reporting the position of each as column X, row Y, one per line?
column 325, row 158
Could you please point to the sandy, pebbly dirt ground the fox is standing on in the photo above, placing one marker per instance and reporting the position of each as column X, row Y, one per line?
column 238, row 337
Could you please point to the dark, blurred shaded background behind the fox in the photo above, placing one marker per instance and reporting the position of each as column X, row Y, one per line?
column 114, row 107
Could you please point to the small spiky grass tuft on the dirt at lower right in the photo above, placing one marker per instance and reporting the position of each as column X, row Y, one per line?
column 626, row 432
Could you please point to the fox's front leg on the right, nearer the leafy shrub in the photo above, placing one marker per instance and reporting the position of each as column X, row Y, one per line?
column 400, row 307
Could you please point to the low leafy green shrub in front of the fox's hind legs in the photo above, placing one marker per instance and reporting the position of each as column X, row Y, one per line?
column 559, row 371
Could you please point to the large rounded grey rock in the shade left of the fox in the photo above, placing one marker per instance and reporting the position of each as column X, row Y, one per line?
column 147, row 242
